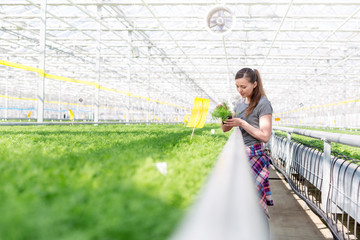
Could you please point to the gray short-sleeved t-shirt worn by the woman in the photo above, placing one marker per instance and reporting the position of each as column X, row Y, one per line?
column 262, row 108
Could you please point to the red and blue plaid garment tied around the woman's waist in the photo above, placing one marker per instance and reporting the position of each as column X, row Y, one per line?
column 259, row 163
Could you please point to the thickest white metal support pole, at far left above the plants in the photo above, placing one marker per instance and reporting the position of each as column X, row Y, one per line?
column 41, row 78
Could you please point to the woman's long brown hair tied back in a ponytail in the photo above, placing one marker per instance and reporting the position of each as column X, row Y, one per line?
column 252, row 75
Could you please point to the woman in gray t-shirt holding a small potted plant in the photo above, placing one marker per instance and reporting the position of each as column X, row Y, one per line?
column 253, row 117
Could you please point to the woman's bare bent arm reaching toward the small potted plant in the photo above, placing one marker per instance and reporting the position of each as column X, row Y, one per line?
column 263, row 133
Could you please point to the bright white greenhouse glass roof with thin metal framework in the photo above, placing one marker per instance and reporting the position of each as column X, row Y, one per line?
column 307, row 51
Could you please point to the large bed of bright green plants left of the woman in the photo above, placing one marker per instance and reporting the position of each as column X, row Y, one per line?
column 100, row 182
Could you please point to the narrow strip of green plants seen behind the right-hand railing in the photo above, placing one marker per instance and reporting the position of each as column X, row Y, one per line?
column 336, row 148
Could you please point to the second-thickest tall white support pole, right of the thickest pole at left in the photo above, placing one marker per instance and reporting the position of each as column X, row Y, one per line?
column 98, row 67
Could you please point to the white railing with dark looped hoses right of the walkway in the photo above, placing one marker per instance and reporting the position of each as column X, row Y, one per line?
column 329, row 184
